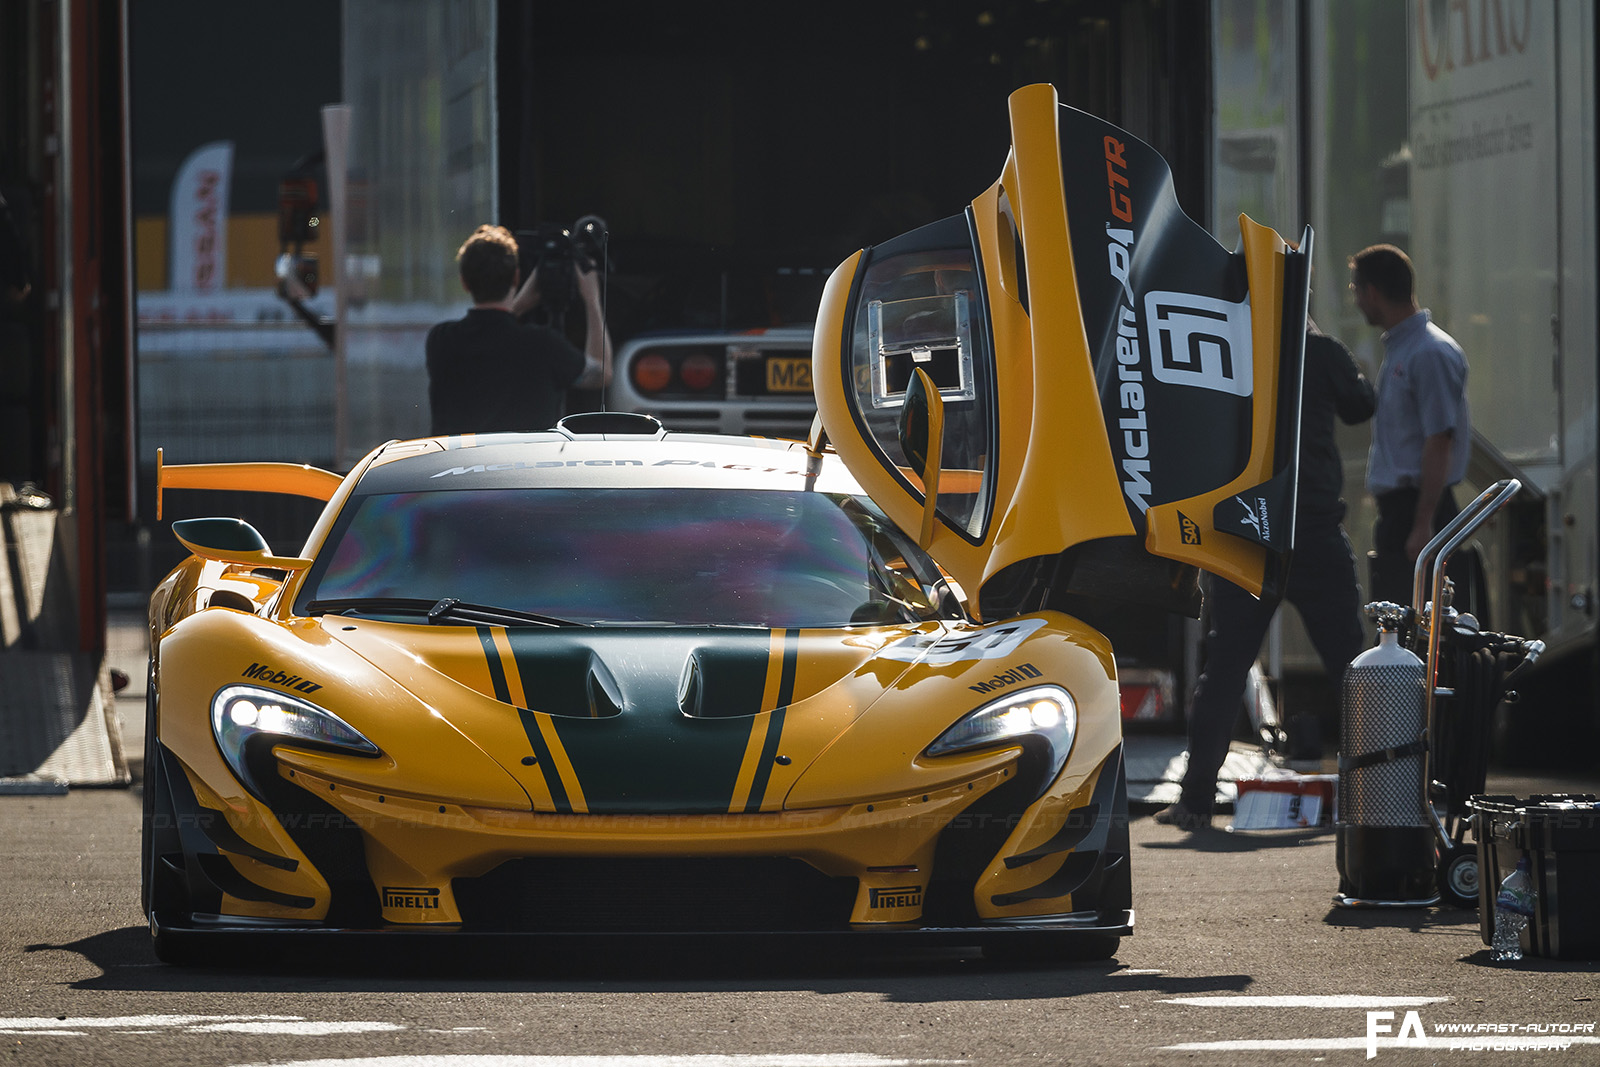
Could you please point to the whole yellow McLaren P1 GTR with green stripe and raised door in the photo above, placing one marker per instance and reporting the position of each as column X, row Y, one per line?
column 604, row 679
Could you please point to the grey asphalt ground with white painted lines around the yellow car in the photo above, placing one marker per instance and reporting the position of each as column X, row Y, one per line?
column 1239, row 957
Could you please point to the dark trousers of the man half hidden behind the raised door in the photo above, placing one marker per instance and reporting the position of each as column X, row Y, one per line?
column 1324, row 589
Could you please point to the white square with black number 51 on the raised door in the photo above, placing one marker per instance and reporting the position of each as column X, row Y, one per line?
column 1201, row 342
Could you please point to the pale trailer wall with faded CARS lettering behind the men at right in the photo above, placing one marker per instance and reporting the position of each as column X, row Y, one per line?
column 1465, row 134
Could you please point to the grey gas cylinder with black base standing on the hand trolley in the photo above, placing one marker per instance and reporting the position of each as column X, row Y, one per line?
column 1385, row 837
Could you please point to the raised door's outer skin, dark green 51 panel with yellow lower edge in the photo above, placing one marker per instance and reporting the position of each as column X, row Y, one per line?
column 1198, row 354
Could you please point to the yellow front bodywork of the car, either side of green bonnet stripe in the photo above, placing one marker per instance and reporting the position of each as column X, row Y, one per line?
column 452, row 796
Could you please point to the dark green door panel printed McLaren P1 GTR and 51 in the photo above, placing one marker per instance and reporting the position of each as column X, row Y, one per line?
column 1167, row 316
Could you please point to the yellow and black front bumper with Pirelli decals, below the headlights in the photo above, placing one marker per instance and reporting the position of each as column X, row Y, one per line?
column 967, row 865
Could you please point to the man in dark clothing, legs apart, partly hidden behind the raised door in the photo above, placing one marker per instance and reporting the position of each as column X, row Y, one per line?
column 1322, row 581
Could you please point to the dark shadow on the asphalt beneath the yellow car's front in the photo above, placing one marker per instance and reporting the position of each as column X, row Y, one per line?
column 127, row 964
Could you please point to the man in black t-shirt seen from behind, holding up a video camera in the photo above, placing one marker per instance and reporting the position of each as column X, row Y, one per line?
column 490, row 372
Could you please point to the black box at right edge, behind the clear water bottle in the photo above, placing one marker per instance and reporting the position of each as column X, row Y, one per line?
column 1559, row 834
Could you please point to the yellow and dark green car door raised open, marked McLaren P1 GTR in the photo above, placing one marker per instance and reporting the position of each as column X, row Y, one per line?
column 1105, row 374
